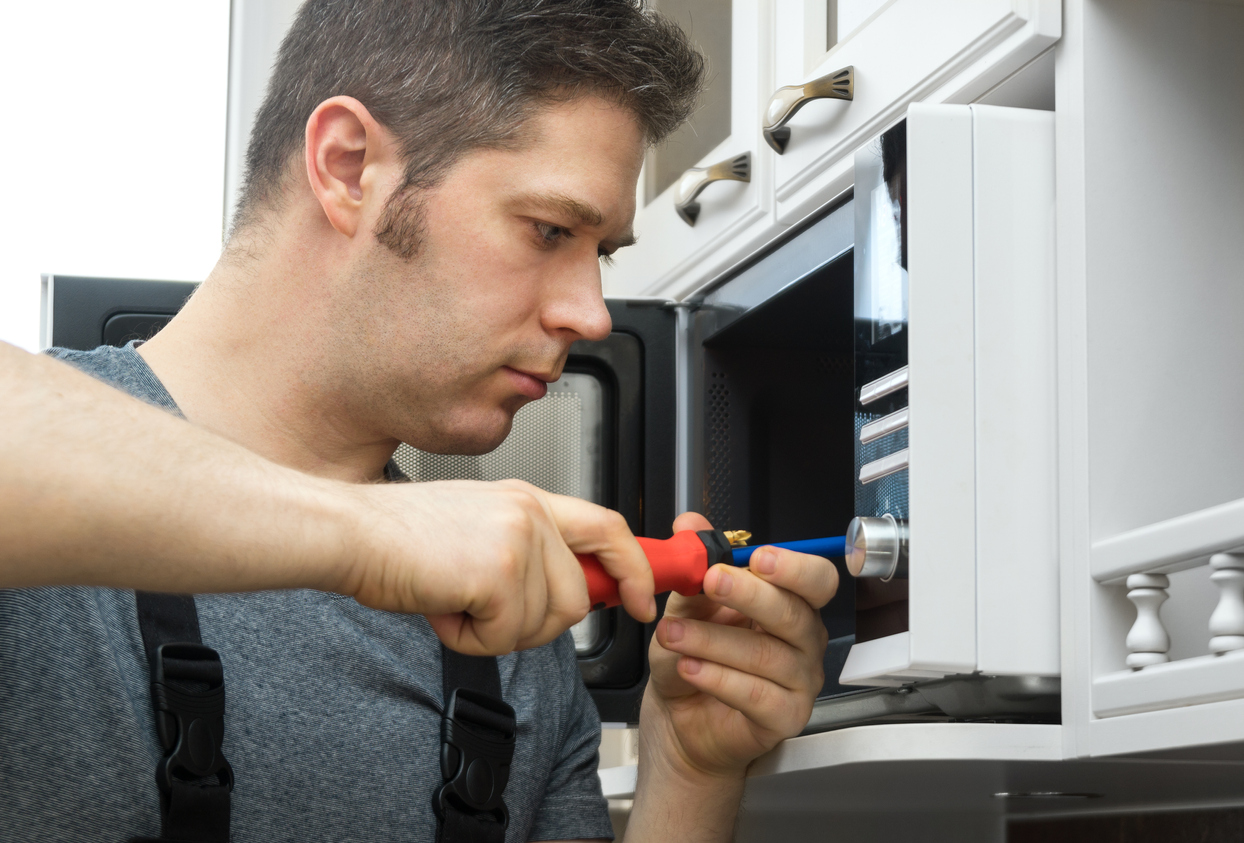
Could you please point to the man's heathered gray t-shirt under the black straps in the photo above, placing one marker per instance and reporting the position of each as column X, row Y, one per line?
column 333, row 721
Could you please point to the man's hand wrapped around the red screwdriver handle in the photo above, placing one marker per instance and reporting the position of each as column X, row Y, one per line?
column 492, row 565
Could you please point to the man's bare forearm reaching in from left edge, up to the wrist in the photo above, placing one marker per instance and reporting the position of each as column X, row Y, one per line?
column 98, row 488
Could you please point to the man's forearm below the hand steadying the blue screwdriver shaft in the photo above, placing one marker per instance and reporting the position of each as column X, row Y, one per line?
column 674, row 803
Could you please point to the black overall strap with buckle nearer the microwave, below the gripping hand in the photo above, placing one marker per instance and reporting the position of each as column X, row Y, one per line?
column 477, row 748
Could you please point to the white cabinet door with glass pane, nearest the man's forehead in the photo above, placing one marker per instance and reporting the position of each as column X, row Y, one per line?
column 674, row 257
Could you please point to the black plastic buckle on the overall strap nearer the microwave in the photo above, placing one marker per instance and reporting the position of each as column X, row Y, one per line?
column 477, row 748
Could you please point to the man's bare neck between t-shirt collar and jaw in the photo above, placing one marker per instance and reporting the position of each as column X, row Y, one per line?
column 247, row 360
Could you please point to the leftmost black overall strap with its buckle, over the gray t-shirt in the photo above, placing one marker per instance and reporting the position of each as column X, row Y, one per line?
column 188, row 694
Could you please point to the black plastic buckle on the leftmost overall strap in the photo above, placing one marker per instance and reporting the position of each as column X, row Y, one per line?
column 188, row 691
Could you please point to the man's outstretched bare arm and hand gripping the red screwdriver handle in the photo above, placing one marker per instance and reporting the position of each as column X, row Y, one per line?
column 100, row 489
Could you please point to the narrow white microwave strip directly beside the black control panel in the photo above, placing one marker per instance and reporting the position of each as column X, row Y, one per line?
column 942, row 390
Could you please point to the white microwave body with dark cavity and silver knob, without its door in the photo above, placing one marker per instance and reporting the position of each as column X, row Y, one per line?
column 889, row 371
